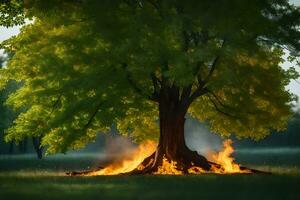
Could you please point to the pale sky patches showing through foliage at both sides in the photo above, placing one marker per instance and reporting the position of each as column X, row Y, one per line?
column 294, row 86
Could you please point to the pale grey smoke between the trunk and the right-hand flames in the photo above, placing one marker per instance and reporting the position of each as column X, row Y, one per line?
column 200, row 139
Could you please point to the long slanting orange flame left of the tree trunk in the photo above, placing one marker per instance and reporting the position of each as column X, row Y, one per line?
column 129, row 163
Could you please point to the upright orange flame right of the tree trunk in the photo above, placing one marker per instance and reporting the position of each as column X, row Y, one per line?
column 224, row 159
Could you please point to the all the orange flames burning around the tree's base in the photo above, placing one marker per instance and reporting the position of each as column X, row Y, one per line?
column 136, row 156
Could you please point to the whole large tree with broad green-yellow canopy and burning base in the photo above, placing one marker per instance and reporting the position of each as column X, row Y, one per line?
column 145, row 65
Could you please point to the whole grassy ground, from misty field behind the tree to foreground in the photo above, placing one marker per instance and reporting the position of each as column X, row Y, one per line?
column 24, row 177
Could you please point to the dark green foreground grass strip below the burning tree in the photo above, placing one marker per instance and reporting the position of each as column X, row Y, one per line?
column 42, row 185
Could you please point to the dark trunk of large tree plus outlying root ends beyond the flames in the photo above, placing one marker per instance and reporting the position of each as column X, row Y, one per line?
column 171, row 145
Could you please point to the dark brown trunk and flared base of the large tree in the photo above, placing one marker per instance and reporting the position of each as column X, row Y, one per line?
column 172, row 145
